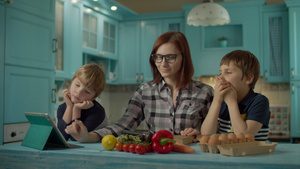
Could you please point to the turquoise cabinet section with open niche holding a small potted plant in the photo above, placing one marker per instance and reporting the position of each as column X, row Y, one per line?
column 242, row 33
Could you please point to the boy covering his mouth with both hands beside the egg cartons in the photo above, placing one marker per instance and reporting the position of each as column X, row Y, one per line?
column 235, row 107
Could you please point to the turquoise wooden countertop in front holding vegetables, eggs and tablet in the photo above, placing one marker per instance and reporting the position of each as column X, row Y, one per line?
column 93, row 155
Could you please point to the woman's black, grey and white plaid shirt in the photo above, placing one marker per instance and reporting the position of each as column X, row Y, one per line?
column 153, row 103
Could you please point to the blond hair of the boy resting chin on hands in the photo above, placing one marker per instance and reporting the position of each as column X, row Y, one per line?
column 92, row 76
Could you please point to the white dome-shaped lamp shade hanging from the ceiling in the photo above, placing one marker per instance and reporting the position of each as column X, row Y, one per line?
column 208, row 14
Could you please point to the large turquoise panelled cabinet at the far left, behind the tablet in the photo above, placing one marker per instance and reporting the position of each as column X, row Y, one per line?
column 27, row 59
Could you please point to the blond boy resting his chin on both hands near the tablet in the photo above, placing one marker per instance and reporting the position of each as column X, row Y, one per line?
column 80, row 104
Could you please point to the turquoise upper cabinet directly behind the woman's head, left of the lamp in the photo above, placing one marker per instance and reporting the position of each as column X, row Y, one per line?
column 136, row 41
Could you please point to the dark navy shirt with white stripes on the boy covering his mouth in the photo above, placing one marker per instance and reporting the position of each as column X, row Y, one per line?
column 255, row 107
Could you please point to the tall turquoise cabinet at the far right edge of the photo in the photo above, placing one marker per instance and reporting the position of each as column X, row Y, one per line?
column 294, row 45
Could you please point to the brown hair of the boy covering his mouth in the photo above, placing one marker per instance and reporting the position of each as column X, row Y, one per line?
column 246, row 61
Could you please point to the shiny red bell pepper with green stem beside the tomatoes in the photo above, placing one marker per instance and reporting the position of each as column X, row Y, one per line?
column 162, row 141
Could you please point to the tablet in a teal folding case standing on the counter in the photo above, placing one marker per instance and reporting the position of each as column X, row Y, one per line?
column 43, row 133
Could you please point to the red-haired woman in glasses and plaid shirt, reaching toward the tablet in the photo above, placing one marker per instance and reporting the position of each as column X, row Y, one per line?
column 171, row 101
